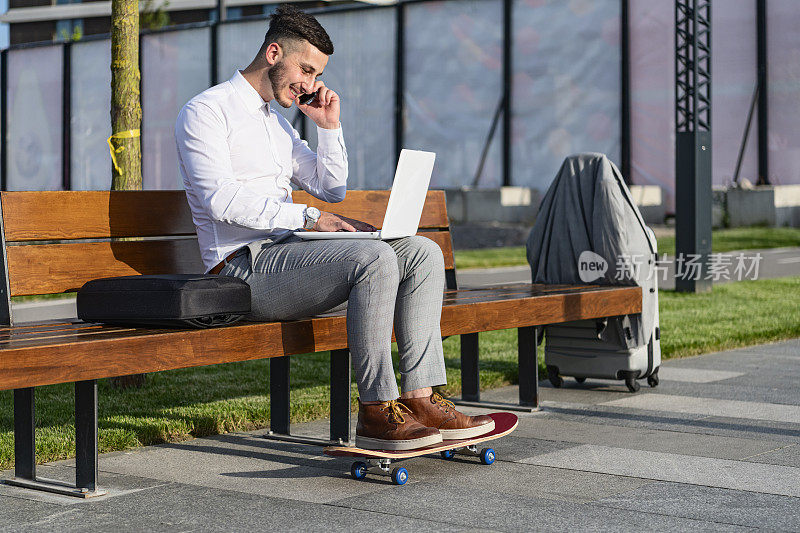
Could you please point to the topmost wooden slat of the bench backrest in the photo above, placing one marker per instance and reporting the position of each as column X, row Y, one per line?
column 67, row 215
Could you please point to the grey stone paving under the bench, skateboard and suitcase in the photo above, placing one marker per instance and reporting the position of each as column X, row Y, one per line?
column 716, row 447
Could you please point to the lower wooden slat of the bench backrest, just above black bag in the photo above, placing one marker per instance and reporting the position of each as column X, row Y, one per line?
column 57, row 268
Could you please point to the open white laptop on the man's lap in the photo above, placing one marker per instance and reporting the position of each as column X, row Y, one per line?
column 410, row 187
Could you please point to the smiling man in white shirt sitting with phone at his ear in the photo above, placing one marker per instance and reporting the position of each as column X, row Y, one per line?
column 238, row 159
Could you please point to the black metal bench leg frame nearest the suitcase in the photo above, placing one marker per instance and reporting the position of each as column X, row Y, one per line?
column 470, row 374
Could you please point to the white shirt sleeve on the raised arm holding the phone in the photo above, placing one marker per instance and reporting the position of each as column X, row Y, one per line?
column 324, row 173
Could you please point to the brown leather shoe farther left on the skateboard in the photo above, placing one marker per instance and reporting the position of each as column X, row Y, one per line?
column 390, row 426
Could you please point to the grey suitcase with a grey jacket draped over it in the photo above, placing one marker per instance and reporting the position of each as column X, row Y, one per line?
column 589, row 209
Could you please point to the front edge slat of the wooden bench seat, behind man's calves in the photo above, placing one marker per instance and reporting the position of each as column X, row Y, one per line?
column 74, row 357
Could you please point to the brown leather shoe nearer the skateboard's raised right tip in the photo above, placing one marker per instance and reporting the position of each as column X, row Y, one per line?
column 436, row 412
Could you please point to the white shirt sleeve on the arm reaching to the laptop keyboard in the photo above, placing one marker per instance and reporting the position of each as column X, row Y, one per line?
column 203, row 150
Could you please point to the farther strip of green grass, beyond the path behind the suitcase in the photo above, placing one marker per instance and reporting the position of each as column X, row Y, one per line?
column 724, row 240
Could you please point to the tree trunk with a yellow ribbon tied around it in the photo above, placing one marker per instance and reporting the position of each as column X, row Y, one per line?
column 126, row 116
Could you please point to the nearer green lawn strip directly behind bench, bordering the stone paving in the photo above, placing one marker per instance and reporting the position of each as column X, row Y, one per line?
column 182, row 404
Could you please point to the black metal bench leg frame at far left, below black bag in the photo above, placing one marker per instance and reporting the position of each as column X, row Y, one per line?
column 85, row 444
